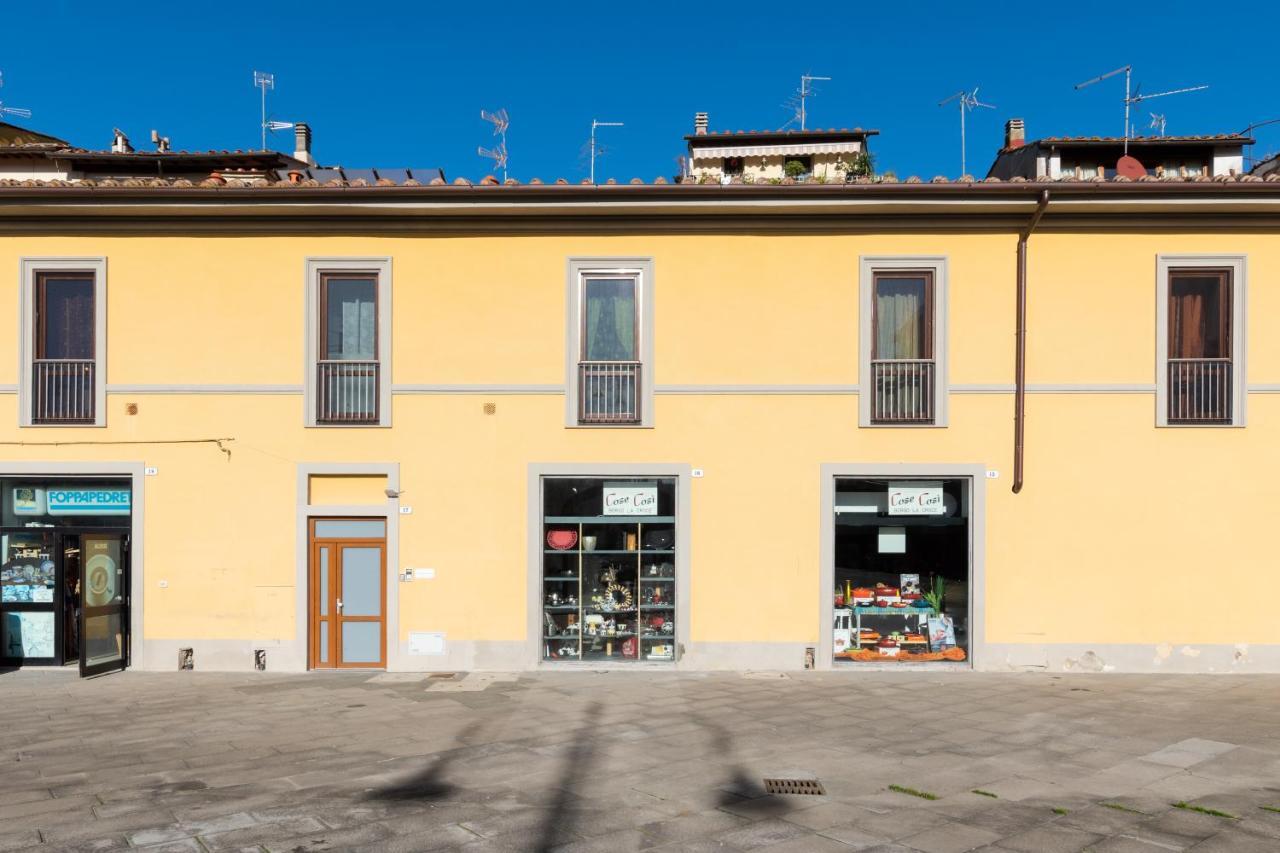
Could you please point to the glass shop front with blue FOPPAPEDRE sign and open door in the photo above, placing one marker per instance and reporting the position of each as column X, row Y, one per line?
column 65, row 574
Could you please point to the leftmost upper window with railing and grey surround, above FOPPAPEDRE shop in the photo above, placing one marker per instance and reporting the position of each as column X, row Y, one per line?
column 63, row 344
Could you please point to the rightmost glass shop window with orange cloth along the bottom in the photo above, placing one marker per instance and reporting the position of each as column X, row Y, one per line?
column 903, row 551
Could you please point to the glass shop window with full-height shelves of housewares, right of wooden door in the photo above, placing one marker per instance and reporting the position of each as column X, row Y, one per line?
column 609, row 569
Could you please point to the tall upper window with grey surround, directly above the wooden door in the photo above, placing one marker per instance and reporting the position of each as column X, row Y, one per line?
column 349, row 382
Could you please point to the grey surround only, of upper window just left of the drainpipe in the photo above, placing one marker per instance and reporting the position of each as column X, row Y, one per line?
column 868, row 267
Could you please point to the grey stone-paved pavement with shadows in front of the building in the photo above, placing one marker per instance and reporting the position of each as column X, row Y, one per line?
column 938, row 763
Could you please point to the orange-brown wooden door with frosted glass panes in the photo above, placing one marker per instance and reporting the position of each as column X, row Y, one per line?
column 349, row 594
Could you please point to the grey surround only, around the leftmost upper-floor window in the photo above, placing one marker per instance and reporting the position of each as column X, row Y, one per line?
column 30, row 267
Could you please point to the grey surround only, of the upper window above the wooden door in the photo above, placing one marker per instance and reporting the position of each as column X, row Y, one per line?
column 382, row 268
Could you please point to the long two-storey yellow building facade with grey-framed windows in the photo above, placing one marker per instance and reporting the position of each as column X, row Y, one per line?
column 753, row 311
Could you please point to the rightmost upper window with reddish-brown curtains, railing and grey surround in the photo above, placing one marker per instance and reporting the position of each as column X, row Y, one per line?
column 1200, row 377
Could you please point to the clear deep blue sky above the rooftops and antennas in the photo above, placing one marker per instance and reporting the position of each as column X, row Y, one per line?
column 403, row 84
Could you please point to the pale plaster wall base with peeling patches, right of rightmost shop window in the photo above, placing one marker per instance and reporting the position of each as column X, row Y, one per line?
column 1132, row 658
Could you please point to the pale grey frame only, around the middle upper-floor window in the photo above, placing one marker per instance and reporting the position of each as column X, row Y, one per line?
column 579, row 270
